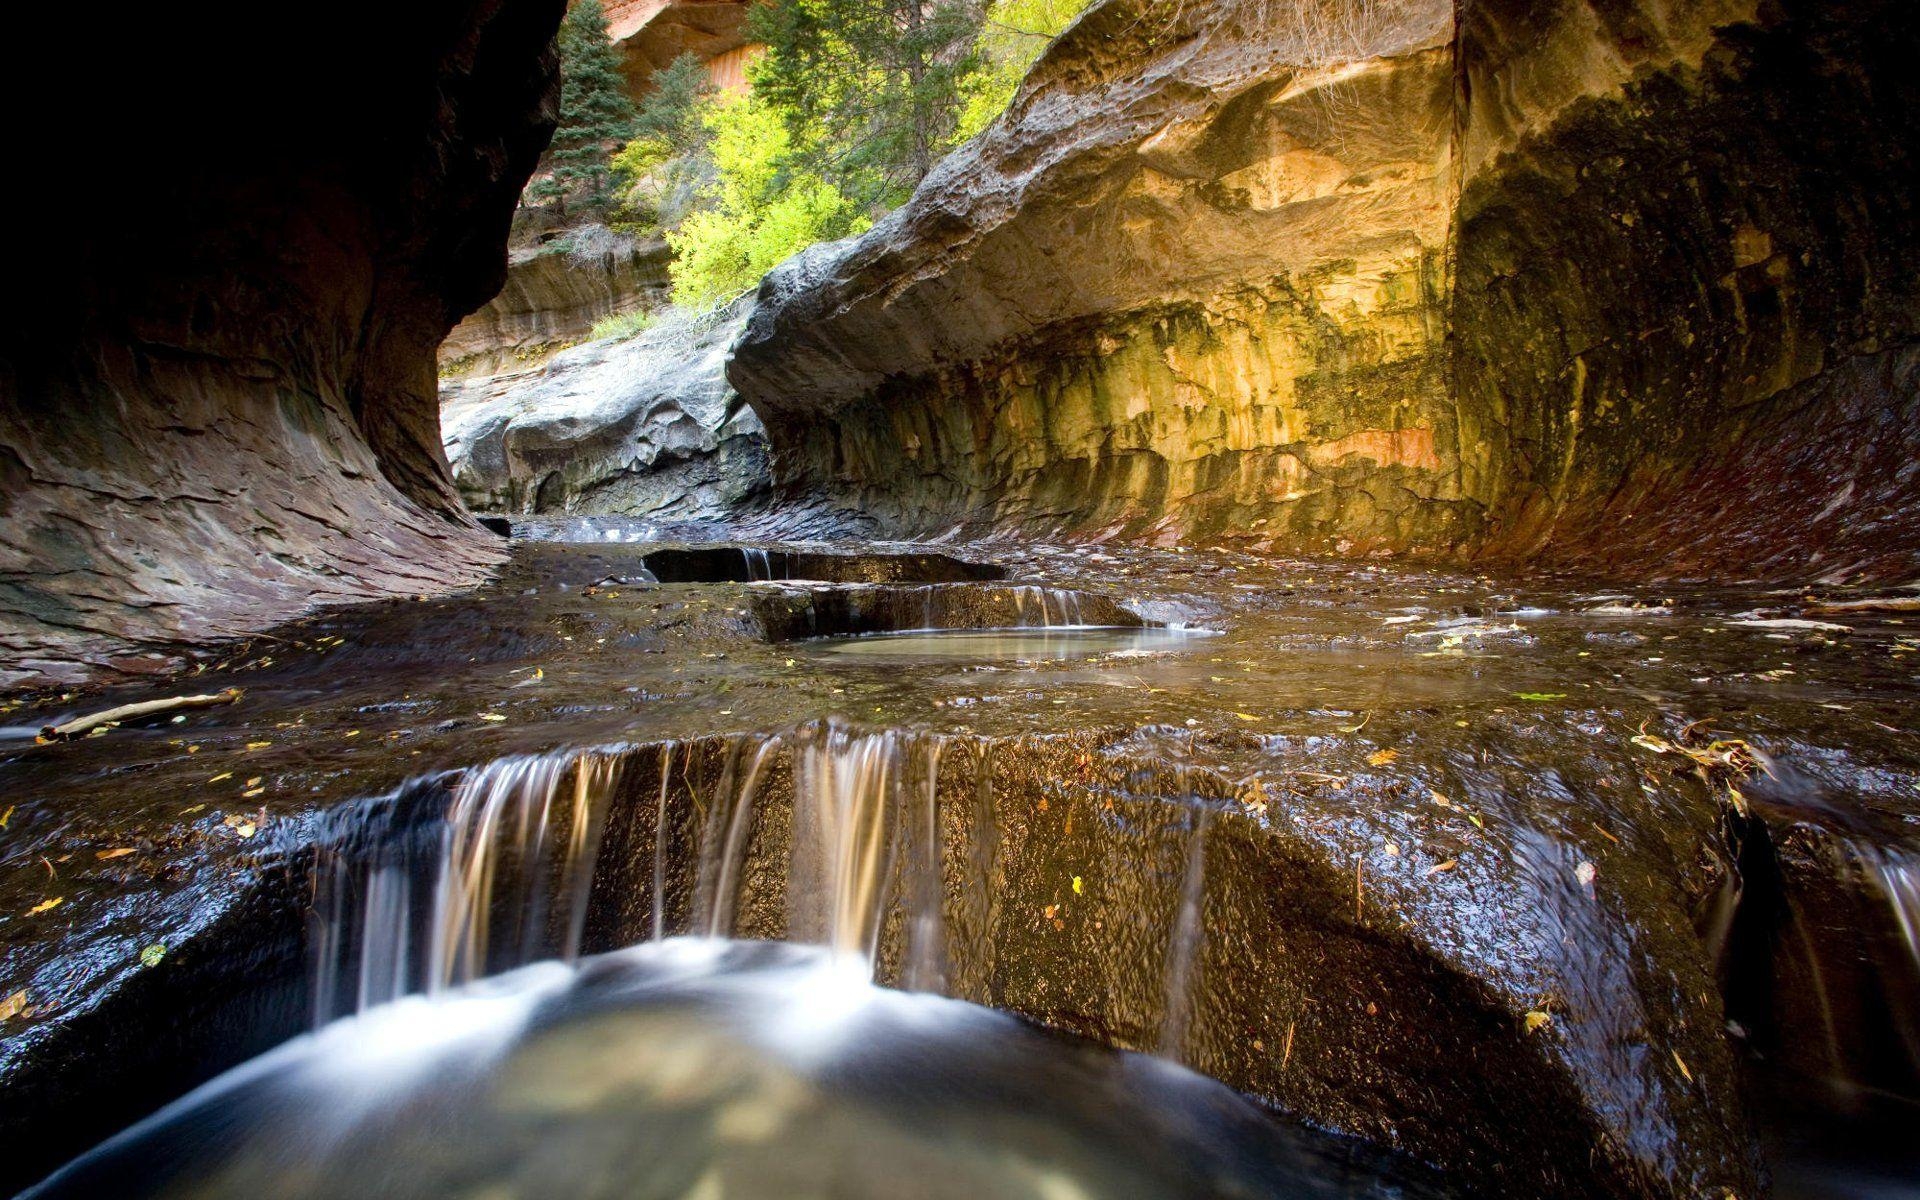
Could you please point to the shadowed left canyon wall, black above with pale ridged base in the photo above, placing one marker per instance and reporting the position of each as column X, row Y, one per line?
column 220, row 408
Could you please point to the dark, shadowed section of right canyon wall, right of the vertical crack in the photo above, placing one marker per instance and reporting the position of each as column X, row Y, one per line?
column 1689, row 285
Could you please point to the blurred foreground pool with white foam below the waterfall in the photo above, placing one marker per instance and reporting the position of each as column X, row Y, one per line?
column 713, row 1070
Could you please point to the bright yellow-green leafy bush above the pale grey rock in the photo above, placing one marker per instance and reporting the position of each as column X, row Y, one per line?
column 767, row 206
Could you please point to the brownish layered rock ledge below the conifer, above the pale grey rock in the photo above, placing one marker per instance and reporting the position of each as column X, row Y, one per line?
column 552, row 300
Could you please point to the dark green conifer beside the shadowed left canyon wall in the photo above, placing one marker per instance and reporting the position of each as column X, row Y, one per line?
column 596, row 116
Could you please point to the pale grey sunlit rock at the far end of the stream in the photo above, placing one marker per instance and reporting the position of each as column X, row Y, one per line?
column 640, row 427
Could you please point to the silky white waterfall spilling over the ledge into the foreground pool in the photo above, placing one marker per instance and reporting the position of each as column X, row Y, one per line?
column 506, row 876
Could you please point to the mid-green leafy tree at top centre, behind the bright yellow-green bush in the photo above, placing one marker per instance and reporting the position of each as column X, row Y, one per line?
column 871, row 89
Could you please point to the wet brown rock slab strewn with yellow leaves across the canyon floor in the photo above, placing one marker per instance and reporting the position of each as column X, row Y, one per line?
column 1391, row 832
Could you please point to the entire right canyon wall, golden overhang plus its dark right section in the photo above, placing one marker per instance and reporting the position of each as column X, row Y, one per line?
column 1470, row 283
